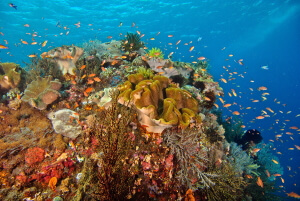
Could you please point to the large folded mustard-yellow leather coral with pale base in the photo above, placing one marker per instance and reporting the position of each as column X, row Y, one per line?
column 160, row 105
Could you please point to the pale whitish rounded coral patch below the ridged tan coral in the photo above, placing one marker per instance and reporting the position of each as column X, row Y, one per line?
column 65, row 122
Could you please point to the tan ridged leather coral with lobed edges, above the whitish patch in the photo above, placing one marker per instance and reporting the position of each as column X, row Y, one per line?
column 42, row 92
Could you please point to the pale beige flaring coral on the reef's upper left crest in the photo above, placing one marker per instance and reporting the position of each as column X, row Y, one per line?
column 65, row 57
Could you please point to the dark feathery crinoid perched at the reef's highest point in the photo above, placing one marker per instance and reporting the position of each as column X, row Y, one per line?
column 132, row 42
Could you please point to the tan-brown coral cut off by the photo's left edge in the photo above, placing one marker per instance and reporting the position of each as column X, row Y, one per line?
column 10, row 76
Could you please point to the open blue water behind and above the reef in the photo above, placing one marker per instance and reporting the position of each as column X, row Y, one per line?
column 257, row 33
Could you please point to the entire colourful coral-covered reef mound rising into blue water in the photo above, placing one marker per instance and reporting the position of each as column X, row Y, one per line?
column 117, row 129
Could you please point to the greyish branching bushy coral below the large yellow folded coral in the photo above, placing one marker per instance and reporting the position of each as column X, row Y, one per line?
column 190, row 158
